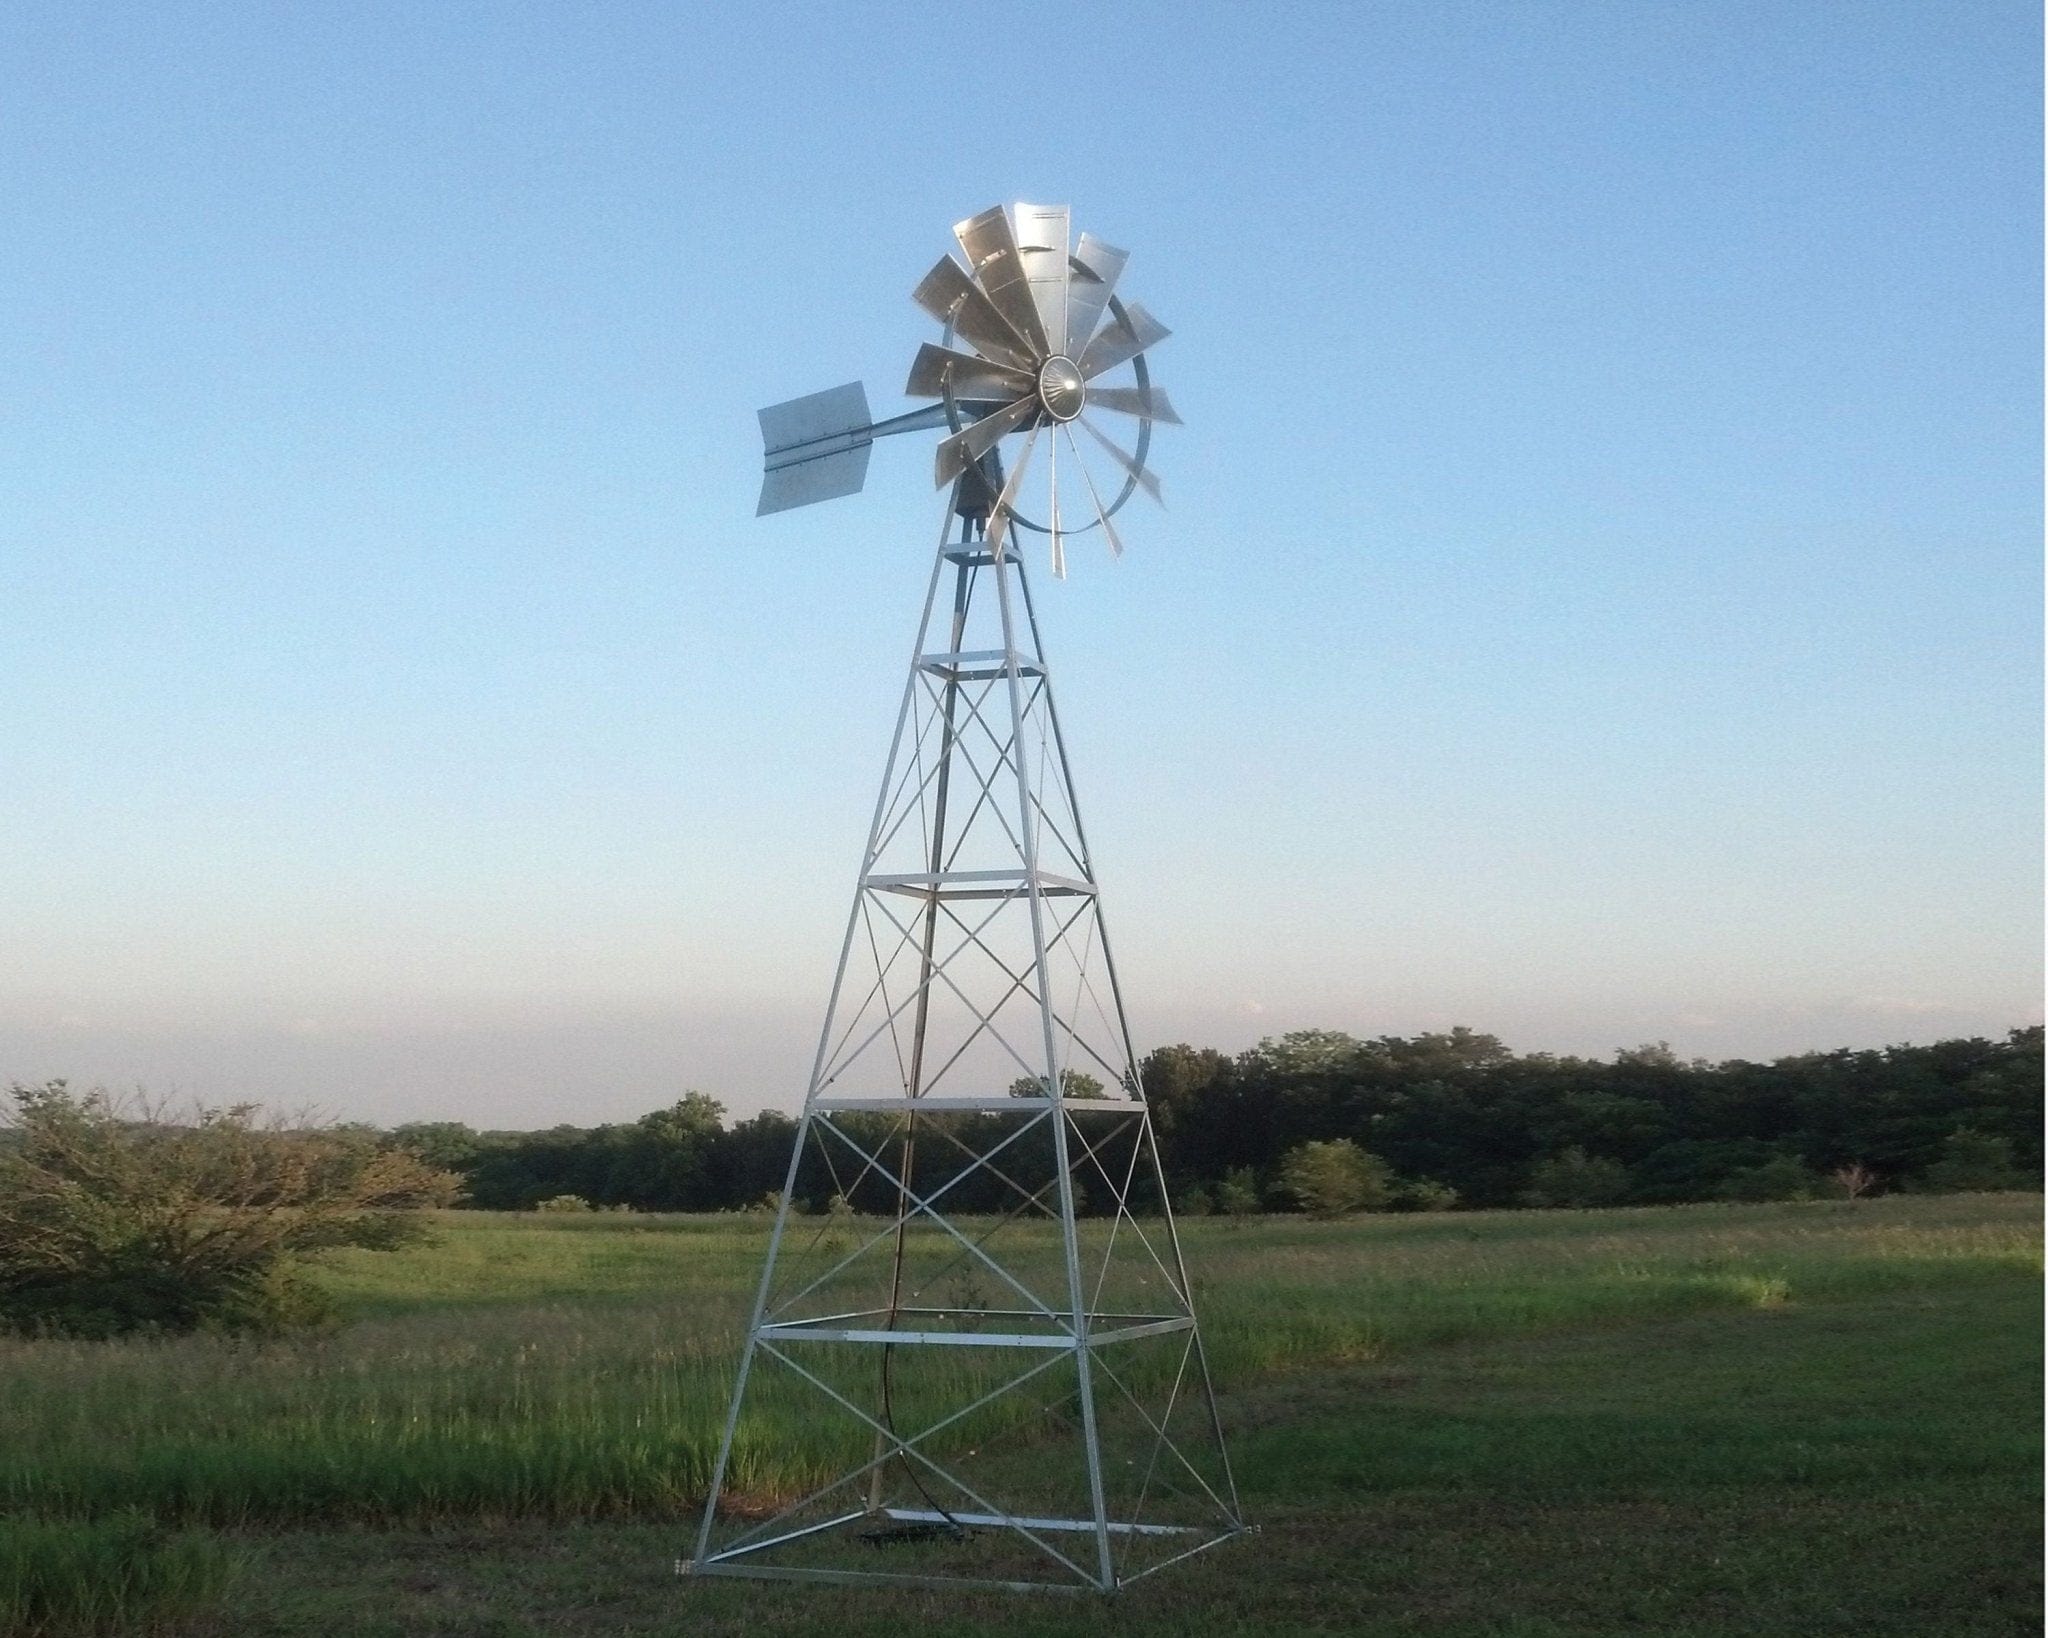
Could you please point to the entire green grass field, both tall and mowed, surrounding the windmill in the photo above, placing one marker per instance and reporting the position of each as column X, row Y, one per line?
column 1711, row 1420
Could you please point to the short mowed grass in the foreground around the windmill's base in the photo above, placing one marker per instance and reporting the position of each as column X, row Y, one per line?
column 1865, row 1465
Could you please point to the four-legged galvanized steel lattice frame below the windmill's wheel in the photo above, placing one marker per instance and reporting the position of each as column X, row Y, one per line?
column 1072, row 1330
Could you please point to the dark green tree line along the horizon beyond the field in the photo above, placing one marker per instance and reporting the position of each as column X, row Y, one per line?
column 1418, row 1123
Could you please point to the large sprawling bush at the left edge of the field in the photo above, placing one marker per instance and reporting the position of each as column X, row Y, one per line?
column 122, row 1219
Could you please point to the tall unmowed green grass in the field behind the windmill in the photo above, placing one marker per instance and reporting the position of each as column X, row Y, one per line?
column 579, row 1367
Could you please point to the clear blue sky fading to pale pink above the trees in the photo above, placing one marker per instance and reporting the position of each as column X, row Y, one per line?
column 1598, row 597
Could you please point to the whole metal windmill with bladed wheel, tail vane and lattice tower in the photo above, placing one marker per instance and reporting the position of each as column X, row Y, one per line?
column 990, row 1336
